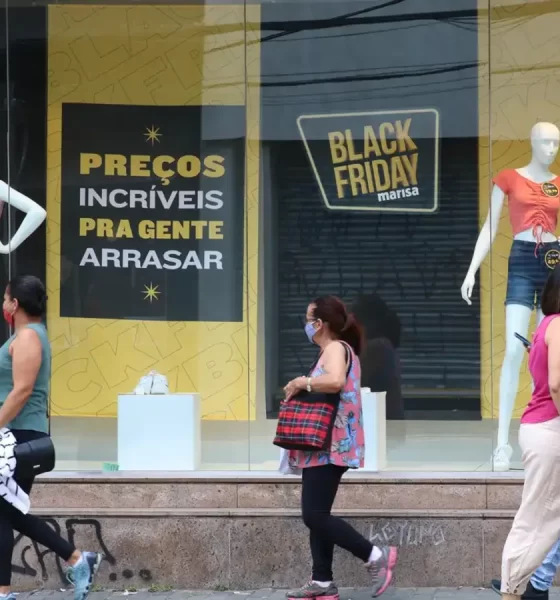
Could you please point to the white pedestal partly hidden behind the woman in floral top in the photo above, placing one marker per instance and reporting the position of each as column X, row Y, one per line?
column 375, row 430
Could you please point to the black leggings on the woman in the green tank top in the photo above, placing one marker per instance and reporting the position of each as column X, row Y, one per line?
column 31, row 526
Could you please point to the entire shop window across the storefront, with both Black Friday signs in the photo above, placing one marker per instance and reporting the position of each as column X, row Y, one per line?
column 208, row 169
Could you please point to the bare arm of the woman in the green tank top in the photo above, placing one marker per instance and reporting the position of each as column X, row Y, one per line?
column 26, row 362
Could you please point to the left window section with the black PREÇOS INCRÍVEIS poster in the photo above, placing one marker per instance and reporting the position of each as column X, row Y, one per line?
column 143, row 165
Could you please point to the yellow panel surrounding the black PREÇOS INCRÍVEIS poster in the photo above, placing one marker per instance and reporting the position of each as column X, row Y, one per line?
column 153, row 55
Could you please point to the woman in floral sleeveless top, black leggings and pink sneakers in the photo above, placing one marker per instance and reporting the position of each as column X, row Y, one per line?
column 340, row 340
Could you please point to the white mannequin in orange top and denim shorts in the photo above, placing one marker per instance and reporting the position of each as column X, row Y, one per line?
column 534, row 200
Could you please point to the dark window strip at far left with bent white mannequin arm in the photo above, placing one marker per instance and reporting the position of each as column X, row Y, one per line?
column 23, row 91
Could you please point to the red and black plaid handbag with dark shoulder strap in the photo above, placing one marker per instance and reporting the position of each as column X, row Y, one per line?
column 306, row 421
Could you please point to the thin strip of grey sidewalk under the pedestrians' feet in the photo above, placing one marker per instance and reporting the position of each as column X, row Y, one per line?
column 270, row 594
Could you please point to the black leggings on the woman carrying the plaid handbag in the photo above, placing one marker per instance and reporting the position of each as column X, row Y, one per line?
column 319, row 487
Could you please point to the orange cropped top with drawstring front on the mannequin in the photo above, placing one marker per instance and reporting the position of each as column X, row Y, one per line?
column 531, row 205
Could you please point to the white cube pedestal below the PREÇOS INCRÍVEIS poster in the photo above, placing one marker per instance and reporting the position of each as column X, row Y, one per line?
column 159, row 432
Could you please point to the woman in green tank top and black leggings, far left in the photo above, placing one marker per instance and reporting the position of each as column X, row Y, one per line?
column 25, row 367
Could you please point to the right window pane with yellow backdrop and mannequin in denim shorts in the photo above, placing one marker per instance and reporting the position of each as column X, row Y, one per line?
column 523, row 133
